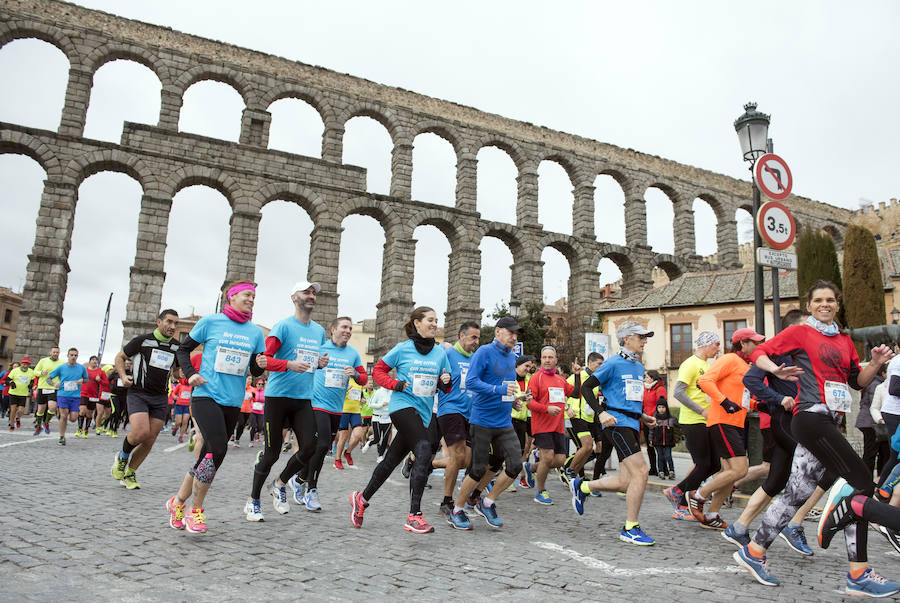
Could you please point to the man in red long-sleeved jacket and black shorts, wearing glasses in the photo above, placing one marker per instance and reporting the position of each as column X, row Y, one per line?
column 550, row 390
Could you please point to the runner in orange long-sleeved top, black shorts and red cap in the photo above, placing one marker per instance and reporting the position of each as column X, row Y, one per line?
column 727, row 413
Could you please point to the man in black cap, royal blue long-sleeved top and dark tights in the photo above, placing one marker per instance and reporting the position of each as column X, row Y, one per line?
column 492, row 380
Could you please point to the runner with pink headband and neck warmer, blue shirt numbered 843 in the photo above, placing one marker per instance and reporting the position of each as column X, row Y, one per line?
column 232, row 345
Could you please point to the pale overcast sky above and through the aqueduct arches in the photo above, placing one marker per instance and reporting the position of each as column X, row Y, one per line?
column 660, row 77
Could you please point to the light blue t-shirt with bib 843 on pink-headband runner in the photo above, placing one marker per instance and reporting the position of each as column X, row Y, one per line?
column 227, row 348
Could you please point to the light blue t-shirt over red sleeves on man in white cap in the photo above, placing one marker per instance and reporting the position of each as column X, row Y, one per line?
column 298, row 342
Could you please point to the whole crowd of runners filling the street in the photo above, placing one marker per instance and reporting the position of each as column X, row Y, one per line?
column 501, row 421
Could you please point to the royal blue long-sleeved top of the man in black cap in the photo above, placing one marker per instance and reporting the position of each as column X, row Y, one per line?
column 490, row 368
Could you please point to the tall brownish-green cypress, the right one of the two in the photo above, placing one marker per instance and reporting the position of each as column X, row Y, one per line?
column 864, row 288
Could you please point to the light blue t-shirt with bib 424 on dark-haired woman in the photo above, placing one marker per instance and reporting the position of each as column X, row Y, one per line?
column 422, row 372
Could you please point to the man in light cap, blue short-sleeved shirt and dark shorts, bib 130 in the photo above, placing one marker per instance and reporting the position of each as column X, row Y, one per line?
column 621, row 378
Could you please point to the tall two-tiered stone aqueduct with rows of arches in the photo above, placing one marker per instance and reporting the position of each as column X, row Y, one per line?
column 164, row 160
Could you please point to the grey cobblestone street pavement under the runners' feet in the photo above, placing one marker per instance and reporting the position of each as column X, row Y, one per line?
column 70, row 532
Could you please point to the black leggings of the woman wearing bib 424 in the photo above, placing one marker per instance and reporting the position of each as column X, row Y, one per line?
column 412, row 436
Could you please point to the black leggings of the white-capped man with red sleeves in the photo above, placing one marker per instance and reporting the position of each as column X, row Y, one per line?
column 280, row 413
